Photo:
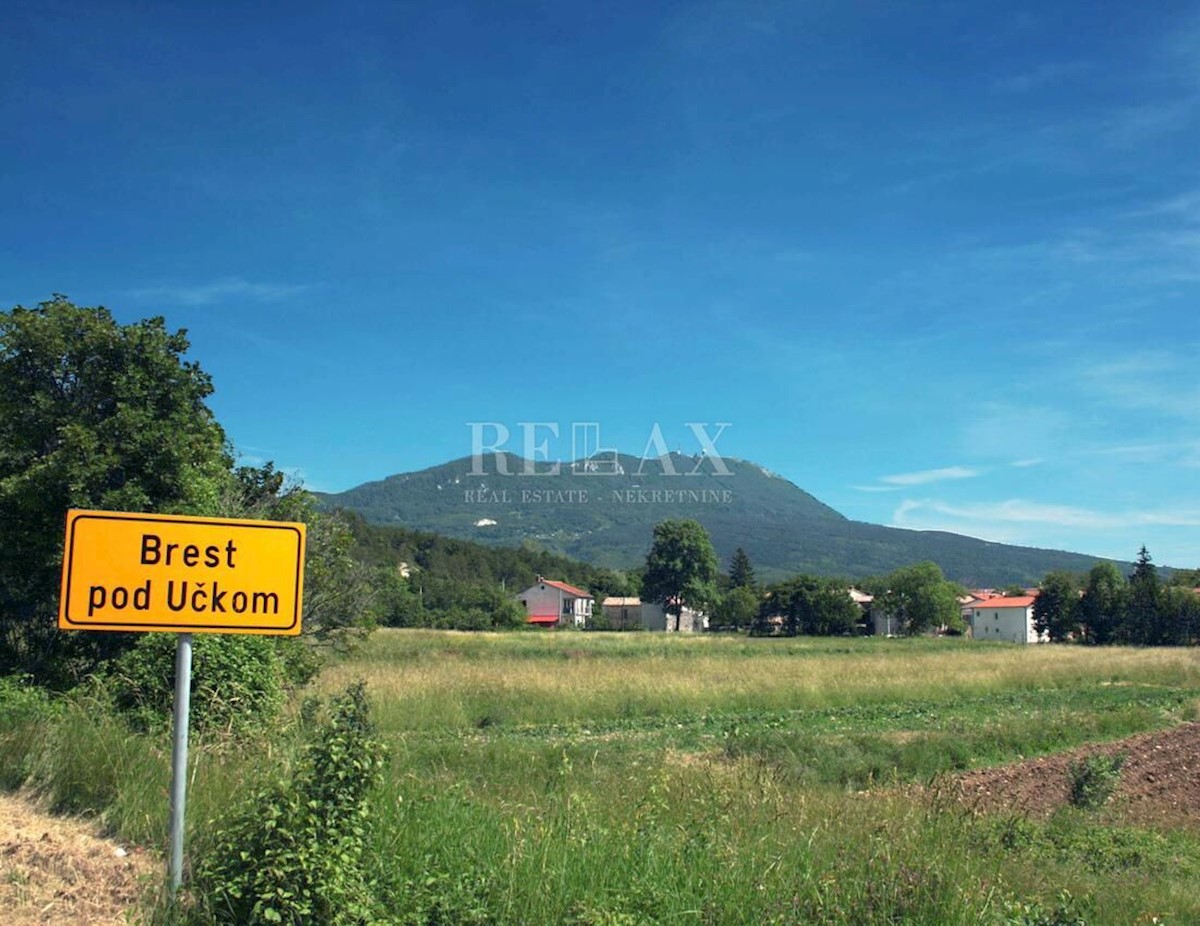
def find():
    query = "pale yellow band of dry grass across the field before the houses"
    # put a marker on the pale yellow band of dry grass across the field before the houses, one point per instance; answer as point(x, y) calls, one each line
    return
point(427, 680)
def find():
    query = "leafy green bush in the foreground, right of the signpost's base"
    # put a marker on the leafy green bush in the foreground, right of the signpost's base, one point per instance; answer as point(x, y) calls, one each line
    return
point(293, 853)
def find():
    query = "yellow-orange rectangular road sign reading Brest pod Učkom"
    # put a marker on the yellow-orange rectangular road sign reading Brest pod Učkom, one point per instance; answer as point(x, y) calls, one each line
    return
point(171, 573)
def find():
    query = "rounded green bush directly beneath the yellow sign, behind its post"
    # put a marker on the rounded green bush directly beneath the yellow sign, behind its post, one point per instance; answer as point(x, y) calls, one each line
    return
point(238, 682)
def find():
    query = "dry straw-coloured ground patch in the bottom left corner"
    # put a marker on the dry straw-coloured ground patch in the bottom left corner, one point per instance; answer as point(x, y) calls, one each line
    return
point(57, 870)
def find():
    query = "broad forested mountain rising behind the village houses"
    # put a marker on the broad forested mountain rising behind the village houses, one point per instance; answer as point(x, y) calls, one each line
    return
point(604, 513)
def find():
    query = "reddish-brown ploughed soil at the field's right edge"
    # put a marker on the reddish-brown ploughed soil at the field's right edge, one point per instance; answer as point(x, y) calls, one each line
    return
point(1160, 781)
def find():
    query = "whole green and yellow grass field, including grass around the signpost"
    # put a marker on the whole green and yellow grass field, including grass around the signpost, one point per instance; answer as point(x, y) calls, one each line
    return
point(645, 779)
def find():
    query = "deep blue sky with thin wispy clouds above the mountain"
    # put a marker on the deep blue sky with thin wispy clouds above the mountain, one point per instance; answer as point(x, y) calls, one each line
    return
point(937, 263)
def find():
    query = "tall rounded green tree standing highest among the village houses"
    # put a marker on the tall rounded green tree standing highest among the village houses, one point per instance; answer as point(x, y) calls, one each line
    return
point(681, 568)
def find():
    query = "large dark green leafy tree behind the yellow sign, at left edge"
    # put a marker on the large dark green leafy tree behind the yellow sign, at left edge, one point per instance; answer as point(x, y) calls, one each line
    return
point(99, 416)
